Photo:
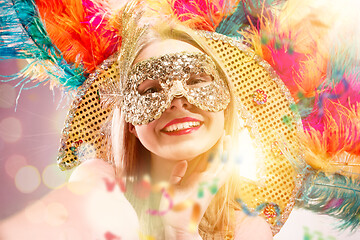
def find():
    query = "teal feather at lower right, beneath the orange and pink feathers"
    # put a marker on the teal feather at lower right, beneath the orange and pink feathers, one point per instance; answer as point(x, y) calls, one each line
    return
point(333, 194)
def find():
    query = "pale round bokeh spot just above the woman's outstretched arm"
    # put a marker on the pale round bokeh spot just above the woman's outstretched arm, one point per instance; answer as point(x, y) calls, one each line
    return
point(53, 177)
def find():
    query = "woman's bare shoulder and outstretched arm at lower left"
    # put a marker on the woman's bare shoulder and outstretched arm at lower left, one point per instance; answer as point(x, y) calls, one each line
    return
point(90, 206)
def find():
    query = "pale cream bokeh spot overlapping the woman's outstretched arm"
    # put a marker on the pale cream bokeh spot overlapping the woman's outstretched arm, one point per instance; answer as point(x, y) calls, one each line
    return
point(56, 214)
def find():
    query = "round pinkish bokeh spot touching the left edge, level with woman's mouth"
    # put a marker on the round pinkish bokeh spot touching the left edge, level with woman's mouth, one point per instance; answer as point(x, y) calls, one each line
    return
point(10, 129)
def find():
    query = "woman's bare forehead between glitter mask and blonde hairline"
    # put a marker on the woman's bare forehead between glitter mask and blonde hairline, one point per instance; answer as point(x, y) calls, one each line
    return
point(162, 47)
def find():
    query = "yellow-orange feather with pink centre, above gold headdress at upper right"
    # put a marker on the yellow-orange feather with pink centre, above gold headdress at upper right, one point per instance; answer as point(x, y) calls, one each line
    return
point(280, 41)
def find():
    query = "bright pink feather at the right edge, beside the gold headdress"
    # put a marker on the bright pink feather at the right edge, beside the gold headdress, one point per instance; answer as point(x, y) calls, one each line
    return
point(337, 116)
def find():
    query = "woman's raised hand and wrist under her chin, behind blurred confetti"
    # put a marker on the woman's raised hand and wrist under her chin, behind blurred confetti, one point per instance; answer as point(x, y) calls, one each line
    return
point(190, 199)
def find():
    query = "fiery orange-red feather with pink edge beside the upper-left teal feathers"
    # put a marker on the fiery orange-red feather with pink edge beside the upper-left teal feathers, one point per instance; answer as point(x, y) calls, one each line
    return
point(81, 29)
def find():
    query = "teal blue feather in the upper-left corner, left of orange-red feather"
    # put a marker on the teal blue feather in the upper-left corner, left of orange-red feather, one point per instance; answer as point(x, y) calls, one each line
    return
point(23, 36)
